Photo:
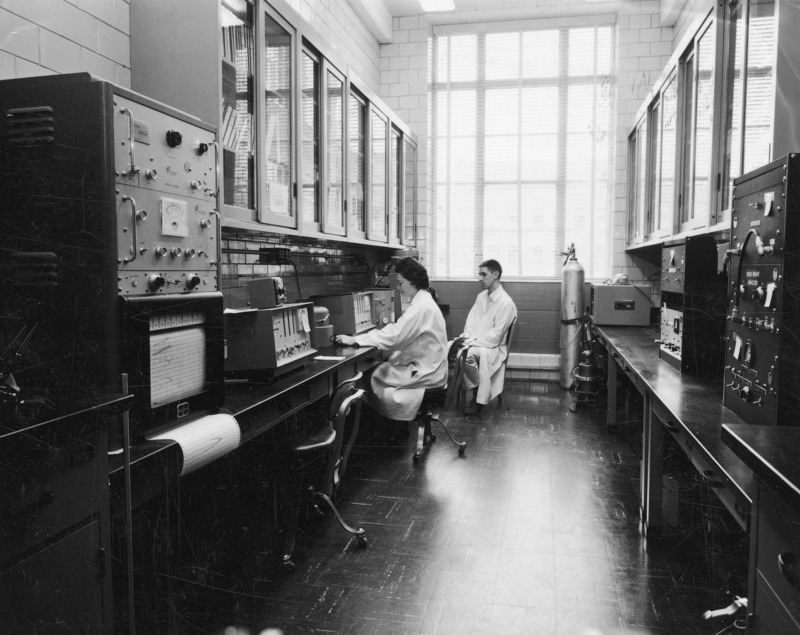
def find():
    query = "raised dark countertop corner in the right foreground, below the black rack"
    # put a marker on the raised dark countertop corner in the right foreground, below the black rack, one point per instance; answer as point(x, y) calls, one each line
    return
point(773, 453)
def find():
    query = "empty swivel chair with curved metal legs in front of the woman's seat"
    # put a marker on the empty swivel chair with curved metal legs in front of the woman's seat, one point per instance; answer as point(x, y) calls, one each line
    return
point(321, 444)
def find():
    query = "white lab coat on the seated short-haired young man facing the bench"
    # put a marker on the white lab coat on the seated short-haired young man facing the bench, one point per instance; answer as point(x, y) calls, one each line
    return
point(488, 322)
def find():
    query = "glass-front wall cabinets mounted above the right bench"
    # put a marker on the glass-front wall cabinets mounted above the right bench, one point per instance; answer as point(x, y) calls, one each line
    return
point(726, 104)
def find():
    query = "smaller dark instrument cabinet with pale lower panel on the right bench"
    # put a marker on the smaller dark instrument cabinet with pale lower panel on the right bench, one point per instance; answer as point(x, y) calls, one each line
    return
point(692, 311)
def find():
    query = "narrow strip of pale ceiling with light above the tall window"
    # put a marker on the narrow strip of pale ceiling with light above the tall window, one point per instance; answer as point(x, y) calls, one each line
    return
point(493, 10)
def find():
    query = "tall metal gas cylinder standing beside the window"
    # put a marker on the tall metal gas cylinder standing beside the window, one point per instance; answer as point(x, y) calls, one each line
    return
point(573, 306)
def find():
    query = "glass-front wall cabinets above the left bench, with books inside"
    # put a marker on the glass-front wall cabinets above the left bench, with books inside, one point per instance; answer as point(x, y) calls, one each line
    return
point(304, 147)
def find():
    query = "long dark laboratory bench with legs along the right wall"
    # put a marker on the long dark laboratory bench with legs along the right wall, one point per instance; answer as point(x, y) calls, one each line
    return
point(752, 468)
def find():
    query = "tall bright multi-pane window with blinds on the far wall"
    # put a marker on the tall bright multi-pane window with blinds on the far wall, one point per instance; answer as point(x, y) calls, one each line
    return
point(521, 143)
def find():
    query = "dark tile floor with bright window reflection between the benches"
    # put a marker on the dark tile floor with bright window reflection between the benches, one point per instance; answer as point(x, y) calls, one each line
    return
point(534, 530)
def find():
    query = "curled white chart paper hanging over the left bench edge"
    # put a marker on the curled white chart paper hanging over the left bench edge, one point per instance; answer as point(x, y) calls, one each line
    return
point(203, 440)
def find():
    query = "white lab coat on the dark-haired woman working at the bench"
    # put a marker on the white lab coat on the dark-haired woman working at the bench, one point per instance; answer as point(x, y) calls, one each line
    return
point(418, 358)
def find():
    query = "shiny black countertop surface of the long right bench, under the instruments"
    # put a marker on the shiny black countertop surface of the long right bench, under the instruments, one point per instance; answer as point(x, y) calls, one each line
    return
point(695, 404)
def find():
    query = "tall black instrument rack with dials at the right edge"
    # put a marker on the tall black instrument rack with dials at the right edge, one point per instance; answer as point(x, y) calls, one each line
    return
point(762, 354)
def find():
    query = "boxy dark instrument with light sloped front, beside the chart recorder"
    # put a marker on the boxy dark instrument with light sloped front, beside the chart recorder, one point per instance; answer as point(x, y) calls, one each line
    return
point(271, 341)
